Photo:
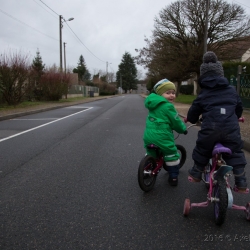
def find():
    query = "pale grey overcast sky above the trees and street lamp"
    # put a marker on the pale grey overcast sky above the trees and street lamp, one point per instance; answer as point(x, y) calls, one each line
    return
point(102, 30)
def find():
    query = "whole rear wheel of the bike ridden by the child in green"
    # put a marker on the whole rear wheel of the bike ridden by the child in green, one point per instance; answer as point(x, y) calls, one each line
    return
point(145, 178)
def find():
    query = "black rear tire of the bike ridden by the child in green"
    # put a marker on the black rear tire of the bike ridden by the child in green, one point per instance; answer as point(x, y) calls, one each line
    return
point(141, 176)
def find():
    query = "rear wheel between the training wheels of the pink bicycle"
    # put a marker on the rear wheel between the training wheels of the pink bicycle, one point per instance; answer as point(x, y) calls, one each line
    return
point(221, 201)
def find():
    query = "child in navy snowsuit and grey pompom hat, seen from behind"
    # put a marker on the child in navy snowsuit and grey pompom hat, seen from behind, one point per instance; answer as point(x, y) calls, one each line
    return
point(220, 107)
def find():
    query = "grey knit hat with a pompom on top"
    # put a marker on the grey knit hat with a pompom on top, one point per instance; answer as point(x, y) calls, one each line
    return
point(211, 64)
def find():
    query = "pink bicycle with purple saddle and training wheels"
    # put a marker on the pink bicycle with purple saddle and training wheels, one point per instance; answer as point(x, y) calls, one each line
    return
point(216, 178)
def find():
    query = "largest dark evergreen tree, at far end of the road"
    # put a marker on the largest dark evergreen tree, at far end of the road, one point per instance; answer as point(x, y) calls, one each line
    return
point(127, 73)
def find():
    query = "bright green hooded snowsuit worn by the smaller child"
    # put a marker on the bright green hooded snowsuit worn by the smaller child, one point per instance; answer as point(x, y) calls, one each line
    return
point(161, 121)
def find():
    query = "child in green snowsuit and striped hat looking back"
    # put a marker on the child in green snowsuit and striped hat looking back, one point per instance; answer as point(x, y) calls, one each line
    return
point(161, 121)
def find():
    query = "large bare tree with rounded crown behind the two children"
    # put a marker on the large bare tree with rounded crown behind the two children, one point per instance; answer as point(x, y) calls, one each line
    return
point(175, 49)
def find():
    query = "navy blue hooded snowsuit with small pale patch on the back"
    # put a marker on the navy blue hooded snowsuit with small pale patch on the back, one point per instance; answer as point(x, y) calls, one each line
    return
point(220, 107)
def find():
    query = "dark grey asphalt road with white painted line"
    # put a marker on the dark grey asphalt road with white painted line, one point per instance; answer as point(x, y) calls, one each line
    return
point(68, 180)
